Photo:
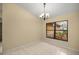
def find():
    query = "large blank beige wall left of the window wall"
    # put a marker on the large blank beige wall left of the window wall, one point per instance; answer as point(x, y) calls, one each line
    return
point(19, 27)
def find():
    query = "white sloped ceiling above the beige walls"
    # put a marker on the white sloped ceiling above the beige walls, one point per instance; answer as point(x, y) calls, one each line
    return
point(54, 9)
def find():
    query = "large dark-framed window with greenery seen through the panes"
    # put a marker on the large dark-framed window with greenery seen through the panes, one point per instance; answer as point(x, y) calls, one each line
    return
point(57, 30)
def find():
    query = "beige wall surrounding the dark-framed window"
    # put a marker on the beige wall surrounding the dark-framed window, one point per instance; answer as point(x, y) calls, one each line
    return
point(73, 31)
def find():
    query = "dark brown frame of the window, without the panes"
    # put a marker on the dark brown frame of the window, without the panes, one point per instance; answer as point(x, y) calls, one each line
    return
point(56, 30)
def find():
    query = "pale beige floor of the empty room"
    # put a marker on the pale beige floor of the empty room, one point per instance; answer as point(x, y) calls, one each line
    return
point(41, 48)
